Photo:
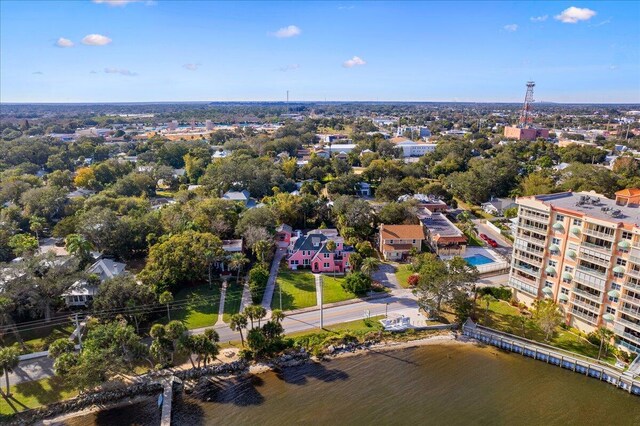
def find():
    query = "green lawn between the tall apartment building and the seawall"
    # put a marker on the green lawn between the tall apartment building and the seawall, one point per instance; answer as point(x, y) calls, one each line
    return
point(504, 317)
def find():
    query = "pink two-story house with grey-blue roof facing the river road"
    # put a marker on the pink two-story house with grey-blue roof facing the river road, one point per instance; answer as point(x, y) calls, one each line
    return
point(310, 251)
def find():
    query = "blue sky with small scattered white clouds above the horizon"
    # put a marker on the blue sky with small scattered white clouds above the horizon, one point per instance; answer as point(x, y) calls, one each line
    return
point(121, 51)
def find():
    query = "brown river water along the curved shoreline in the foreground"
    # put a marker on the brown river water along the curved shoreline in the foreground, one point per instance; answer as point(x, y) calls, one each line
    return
point(433, 385)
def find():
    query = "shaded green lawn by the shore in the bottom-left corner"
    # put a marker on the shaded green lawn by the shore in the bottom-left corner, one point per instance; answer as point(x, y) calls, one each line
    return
point(36, 393)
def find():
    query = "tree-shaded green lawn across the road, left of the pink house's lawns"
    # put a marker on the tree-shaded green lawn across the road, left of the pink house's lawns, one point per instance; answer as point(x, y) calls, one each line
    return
point(201, 307)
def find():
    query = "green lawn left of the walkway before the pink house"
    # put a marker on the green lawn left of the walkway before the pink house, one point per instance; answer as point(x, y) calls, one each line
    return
point(298, 290)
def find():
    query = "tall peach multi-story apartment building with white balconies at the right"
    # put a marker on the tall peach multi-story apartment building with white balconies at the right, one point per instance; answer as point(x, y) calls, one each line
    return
point(582, 250)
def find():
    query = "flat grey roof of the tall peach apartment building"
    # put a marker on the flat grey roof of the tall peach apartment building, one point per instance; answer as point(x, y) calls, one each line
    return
point(593, 205)
